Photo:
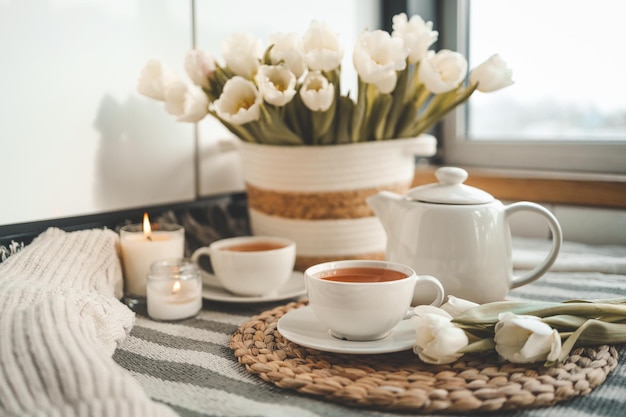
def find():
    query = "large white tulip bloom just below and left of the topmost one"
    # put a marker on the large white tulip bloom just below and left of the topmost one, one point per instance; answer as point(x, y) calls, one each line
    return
point(377, 56)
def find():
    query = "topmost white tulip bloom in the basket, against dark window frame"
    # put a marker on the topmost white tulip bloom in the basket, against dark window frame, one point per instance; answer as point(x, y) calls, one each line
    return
point(417, 35)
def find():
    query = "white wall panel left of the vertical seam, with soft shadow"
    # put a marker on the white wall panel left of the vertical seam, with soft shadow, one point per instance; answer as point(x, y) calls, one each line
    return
point(75, 137)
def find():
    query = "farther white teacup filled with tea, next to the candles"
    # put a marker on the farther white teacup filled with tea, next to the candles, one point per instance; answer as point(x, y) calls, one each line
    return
point(251, 265)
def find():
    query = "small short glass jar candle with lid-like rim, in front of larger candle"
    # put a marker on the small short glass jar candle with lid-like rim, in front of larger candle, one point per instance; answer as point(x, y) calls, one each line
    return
point(174, 289)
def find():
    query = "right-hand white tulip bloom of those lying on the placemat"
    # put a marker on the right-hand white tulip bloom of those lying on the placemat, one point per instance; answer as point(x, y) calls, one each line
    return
point(526, 339)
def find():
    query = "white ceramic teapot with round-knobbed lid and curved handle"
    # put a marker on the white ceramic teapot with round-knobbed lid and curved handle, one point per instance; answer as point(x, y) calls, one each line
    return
point(460, 235)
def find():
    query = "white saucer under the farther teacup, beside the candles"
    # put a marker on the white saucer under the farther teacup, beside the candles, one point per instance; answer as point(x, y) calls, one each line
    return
point(212, 290)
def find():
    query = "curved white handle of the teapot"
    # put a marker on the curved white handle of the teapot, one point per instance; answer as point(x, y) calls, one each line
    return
point(557, 239)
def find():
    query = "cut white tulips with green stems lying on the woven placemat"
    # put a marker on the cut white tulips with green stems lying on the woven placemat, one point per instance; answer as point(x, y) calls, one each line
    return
point(519, 331)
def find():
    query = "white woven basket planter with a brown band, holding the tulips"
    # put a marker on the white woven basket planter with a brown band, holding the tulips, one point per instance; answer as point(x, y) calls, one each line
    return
point(315, 195)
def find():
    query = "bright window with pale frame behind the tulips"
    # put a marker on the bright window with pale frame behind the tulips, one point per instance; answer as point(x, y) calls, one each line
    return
point(567, 110)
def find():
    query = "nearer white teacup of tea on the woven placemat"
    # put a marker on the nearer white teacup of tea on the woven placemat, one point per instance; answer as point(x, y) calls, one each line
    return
point(362, 311)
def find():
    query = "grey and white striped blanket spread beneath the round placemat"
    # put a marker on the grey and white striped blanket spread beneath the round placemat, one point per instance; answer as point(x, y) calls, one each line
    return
point(189, 366)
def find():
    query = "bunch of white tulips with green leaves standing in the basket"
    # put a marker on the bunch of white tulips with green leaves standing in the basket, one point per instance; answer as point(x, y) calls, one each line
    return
point(289, 93)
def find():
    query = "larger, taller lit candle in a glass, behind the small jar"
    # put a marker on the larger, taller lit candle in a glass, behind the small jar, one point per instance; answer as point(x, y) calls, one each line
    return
point(141, 246)
